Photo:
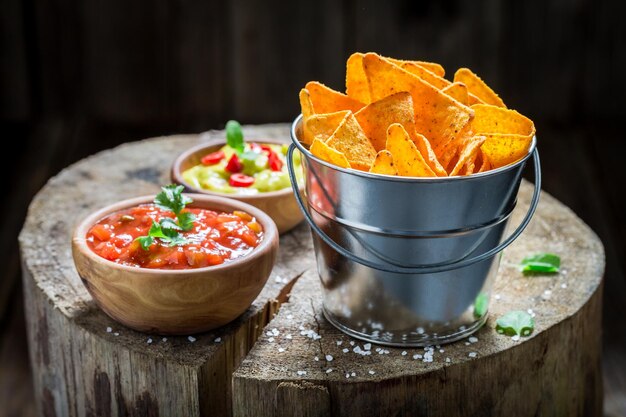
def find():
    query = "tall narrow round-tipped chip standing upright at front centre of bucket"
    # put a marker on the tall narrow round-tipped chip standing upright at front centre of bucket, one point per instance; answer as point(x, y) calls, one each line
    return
point(408, 160)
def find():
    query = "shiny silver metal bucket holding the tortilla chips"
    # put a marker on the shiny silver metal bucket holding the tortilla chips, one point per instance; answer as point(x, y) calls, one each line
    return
point(404, 260)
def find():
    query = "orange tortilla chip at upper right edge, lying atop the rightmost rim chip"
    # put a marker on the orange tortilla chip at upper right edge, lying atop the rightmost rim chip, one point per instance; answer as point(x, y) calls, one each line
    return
point(492, 119)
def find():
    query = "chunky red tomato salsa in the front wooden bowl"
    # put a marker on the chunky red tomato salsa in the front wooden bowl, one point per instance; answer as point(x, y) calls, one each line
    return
point(216, 237)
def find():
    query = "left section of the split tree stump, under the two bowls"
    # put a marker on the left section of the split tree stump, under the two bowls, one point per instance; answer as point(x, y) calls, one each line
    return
point(84, 363)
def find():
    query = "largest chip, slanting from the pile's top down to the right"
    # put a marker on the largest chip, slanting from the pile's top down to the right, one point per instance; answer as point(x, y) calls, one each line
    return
point(437, 116)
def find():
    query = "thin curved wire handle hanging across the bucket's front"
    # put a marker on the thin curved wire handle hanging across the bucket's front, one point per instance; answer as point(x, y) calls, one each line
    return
point(428, 269)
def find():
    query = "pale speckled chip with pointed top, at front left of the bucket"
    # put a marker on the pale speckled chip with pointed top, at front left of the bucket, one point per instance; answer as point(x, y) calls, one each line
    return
point(350, 140)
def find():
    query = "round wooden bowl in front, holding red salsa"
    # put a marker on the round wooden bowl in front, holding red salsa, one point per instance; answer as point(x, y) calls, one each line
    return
point(182, 301)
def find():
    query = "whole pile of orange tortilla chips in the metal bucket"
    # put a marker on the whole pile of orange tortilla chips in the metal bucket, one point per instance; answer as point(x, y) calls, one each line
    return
point(404, 118)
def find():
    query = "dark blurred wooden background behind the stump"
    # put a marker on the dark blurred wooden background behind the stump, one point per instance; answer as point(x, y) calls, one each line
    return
point(80, 76)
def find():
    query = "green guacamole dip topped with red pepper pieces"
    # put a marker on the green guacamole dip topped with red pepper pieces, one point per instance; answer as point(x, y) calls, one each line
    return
point(215, 177)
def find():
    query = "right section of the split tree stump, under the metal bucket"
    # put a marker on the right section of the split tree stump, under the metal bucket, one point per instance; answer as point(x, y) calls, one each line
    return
point(554, 372)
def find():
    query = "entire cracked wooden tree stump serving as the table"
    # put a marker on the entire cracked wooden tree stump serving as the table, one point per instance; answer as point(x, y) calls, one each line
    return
point(85, 364)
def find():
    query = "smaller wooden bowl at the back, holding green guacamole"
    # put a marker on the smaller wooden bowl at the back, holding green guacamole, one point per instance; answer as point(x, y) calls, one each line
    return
point(280, 205)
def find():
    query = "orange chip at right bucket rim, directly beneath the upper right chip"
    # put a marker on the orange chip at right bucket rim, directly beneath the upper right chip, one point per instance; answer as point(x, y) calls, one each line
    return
point(503, 149)
